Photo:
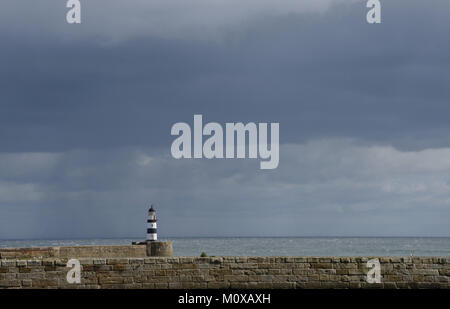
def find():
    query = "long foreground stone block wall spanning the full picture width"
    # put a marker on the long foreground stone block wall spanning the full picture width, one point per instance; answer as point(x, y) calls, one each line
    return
point(227, 272)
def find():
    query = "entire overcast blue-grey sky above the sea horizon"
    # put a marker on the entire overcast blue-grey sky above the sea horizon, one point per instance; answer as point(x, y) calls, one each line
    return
point(86, 112)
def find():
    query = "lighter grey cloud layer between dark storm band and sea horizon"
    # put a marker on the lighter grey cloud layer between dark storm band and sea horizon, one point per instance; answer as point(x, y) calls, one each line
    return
point(319, 188)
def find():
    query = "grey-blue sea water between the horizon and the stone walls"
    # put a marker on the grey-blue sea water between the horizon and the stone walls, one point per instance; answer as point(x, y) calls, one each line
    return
point(300, 246)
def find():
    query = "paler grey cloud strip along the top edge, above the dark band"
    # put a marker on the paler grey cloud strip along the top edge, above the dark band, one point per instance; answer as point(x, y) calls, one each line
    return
point(112, 21)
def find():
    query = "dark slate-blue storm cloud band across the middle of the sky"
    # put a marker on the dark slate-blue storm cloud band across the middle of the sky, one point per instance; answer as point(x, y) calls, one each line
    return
point(327, 75)
